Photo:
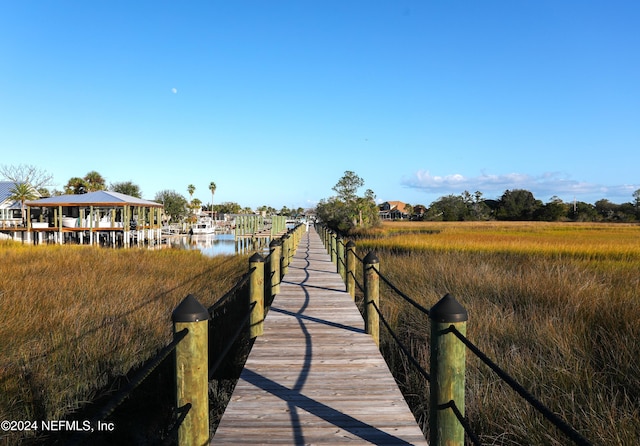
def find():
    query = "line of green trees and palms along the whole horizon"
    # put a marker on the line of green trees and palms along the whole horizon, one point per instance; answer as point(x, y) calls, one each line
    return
point(346, 211)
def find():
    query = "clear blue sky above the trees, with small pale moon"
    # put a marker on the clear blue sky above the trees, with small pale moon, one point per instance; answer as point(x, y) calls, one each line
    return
point(275, 100)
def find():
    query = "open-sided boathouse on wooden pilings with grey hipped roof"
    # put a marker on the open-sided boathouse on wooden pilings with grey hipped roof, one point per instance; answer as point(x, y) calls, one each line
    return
point(101, 216)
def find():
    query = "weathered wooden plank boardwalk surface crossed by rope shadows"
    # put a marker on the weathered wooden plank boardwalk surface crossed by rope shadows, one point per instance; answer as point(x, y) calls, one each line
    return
point(316, 376)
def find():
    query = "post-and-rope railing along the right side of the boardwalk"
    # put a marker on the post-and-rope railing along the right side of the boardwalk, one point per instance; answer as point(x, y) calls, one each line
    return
point(448, 345)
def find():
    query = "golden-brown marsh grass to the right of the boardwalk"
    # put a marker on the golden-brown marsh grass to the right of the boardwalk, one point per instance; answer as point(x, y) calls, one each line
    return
point(555, 305)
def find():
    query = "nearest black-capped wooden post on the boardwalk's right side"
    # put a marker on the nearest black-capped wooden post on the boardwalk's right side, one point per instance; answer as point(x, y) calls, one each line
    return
point(447, 372)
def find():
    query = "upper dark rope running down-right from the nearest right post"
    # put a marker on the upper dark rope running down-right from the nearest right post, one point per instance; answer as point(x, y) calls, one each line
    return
point(569, 431)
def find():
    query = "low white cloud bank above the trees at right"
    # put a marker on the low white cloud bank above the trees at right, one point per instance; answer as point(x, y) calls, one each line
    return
point(543, 186)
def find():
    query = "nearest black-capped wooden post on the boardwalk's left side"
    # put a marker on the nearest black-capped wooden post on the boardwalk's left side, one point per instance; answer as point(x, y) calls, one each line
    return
point(192, 371)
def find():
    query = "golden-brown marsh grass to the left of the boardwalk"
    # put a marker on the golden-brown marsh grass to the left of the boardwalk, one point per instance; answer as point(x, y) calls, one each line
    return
point(76, 317)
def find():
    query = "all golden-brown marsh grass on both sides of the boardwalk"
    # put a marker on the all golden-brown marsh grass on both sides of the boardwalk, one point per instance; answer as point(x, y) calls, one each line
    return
point(556, 305)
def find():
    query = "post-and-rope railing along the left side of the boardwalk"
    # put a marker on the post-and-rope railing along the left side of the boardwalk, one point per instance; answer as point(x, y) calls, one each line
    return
point(191, 342)
